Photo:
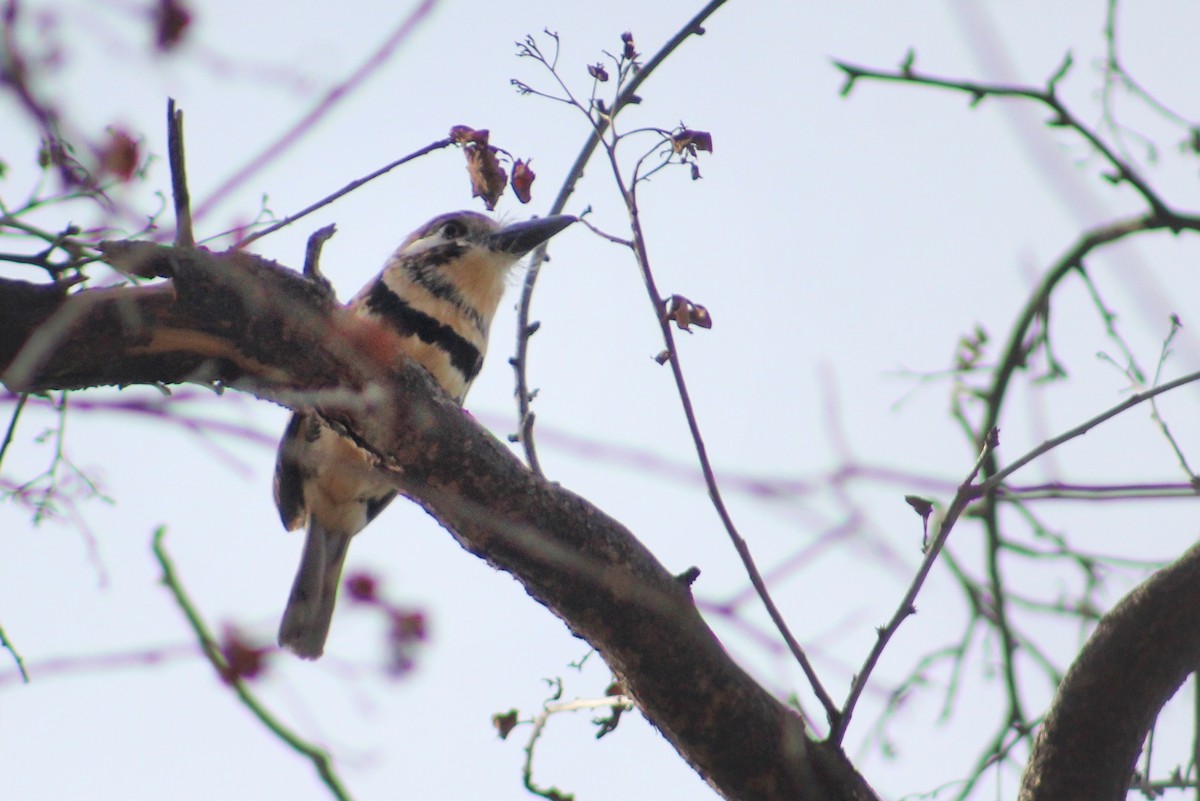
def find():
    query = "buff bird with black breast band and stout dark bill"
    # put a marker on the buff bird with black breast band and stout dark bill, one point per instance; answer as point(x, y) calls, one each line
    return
point(439, 292)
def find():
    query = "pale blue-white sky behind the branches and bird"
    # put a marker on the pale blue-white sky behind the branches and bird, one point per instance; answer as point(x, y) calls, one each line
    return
point(843, 248)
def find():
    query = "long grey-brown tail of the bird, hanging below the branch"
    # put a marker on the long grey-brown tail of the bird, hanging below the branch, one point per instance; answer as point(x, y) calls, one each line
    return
point(310, 610)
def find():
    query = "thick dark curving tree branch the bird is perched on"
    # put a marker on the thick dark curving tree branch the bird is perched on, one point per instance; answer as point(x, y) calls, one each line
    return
point(235, 321)
